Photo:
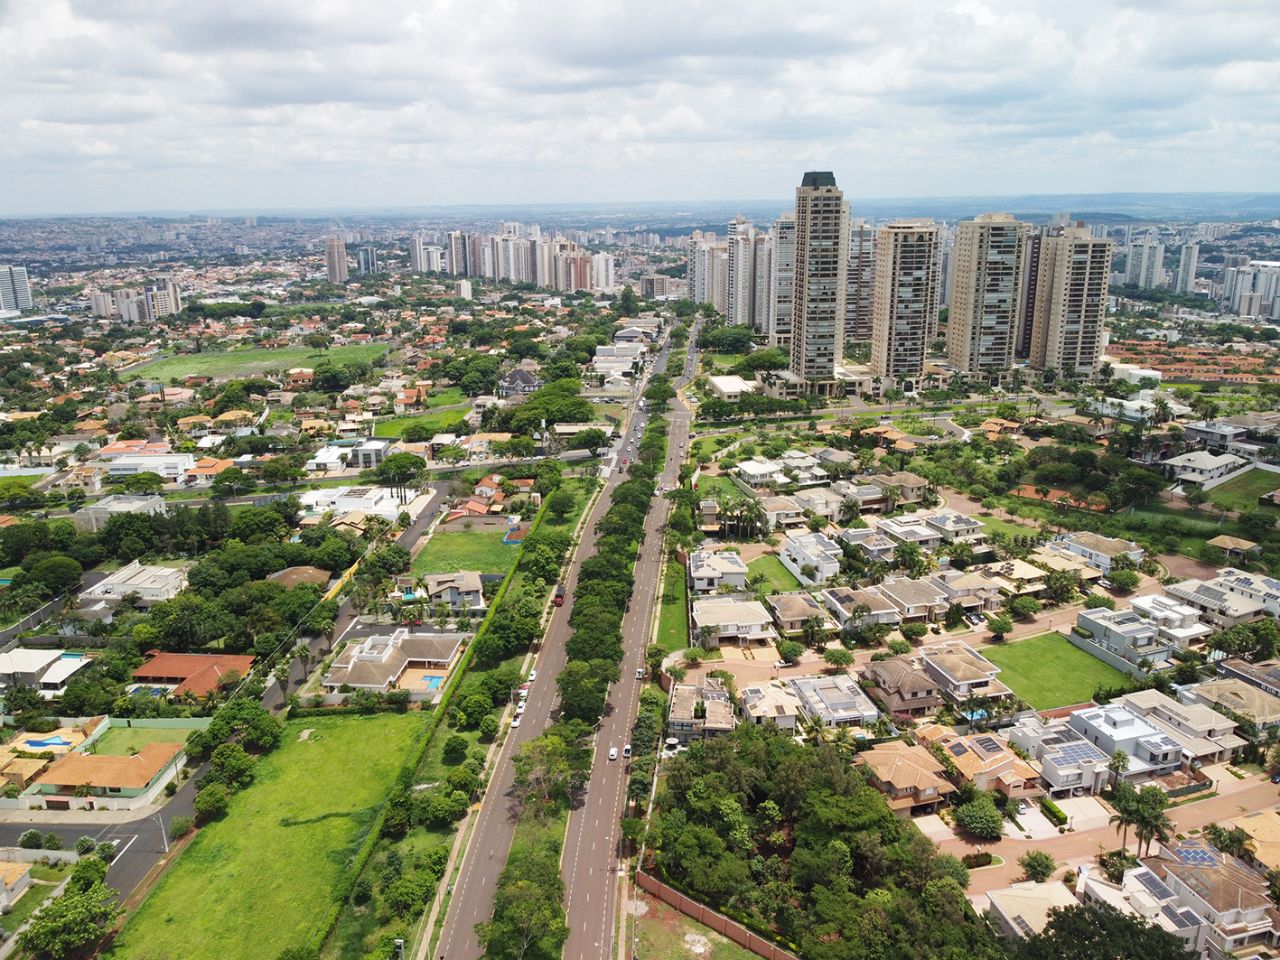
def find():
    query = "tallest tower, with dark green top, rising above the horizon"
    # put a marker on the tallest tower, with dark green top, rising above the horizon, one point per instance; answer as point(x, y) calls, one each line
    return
point(821, 281)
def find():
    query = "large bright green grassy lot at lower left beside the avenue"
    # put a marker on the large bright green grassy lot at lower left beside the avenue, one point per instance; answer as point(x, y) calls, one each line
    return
point(262, 880)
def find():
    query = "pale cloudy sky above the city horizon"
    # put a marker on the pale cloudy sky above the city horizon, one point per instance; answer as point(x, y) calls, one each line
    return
point(117, 106)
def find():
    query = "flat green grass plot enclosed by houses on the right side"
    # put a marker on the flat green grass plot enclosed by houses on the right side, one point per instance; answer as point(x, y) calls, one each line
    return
point(1046, 671)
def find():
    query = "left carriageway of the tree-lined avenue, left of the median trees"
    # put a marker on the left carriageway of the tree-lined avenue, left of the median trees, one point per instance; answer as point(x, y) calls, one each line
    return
point(496, 824)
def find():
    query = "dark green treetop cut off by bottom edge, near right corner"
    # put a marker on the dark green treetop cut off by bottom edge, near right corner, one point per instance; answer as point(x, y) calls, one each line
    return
point(1100, 932)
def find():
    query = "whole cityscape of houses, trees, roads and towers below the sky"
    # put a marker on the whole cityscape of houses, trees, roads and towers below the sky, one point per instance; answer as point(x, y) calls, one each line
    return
point(819, 588)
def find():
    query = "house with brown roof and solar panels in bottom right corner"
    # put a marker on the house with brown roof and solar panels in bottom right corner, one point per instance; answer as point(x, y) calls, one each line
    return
point(1232, 898)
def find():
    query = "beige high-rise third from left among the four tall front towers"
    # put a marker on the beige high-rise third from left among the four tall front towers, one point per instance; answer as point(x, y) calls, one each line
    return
point(986, 281)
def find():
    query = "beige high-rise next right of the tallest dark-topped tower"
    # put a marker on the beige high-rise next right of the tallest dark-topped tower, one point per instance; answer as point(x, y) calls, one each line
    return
point(906, 313)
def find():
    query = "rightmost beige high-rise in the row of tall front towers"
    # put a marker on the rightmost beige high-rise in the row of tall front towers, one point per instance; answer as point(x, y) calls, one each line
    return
point(1071, 301)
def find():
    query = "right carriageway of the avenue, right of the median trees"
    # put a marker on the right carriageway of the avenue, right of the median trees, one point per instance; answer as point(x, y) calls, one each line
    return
point(591, 862)
